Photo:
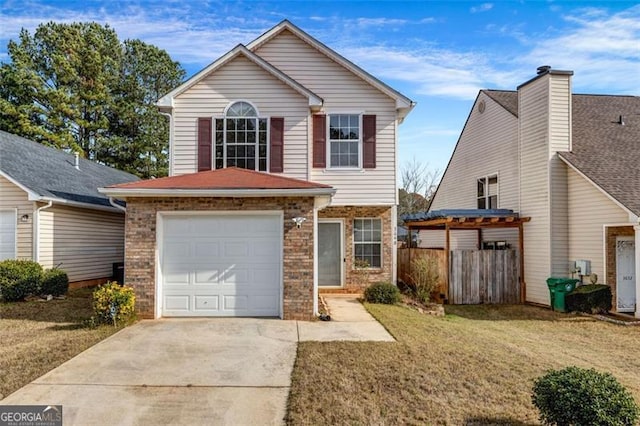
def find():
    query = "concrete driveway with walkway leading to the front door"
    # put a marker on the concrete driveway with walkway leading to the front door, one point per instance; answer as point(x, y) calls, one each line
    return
point(227, 371)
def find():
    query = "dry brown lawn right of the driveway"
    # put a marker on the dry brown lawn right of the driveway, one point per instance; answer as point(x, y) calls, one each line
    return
point(474, 366)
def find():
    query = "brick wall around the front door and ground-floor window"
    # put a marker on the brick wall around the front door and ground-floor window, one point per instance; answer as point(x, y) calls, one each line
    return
point(355, 280)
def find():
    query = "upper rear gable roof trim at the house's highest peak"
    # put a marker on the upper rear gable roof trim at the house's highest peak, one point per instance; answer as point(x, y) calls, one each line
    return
point(403, 104)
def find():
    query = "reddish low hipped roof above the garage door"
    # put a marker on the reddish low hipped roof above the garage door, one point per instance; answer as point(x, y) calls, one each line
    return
point(230, 181)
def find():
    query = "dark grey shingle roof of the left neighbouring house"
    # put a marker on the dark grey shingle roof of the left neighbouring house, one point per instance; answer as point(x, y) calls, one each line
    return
point(48, 174)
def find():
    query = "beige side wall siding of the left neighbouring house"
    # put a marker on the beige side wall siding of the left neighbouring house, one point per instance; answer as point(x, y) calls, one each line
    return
point(85, 242)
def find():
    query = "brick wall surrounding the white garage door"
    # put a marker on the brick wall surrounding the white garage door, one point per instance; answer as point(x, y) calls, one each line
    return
point(140, 246)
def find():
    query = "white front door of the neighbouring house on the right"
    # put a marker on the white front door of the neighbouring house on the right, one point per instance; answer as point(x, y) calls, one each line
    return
point(626, 274)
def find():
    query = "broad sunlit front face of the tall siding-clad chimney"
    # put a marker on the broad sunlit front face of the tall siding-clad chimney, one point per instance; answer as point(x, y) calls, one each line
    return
point(533, 100)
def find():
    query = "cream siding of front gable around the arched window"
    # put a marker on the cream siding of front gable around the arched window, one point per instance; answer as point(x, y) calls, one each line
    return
point(241, 79)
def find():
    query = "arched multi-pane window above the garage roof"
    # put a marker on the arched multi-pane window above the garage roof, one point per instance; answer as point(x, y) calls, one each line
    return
point(241, 138)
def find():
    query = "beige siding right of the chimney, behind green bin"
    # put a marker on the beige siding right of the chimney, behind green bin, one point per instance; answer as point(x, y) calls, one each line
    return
point(589, 210)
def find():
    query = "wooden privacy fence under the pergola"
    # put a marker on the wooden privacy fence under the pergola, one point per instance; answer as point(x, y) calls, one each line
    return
point(475, 276)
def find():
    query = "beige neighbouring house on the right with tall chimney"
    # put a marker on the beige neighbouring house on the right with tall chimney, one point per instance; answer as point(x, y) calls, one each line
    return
point(567, 161)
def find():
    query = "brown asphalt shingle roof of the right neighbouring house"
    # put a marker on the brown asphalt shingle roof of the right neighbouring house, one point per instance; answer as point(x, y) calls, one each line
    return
point(604, 150)
